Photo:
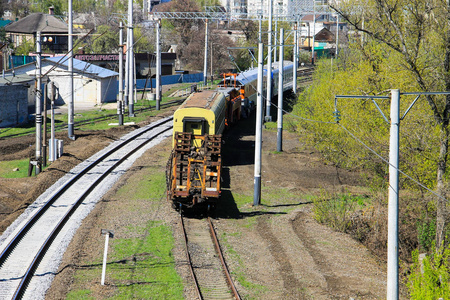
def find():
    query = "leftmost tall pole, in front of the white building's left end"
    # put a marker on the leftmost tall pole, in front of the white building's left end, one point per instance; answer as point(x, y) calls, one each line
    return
point(38, 104)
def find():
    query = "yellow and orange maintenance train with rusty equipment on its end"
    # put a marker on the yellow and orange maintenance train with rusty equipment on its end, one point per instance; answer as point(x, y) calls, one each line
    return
point(193, 172)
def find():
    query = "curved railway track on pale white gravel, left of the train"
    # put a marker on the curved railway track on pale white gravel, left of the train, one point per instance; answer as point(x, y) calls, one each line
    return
point(31, 249)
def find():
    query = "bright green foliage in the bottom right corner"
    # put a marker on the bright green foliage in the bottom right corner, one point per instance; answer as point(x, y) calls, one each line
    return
point(431, 278)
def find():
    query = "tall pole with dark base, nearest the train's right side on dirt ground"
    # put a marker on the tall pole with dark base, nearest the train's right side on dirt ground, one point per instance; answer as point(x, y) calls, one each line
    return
point(258, 130)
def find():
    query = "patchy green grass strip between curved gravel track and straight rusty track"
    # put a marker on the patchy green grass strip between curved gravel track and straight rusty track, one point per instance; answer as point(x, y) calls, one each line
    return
point(140, 266)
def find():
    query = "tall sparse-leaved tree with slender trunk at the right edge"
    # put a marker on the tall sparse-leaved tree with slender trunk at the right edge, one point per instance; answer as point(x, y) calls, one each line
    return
point(418, 33)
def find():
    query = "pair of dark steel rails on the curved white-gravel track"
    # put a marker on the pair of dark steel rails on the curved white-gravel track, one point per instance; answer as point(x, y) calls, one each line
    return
point(23, 231)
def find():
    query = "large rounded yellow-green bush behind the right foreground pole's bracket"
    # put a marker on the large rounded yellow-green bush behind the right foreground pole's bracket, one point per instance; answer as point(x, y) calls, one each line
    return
point(373, 70)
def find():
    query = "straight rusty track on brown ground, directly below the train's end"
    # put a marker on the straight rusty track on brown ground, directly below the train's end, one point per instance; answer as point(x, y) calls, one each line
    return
point(208, 268)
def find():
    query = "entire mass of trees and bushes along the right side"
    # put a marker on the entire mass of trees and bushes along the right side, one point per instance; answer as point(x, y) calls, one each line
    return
point(403, 45)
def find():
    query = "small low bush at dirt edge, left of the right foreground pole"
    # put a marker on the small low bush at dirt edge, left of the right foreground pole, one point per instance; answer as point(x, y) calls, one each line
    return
point(336, 210)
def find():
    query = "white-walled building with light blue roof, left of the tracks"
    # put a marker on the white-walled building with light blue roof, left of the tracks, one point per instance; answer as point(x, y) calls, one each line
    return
point(92, 84)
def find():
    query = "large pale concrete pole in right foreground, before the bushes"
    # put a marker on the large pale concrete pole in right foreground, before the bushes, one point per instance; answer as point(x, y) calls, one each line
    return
point(392, 262)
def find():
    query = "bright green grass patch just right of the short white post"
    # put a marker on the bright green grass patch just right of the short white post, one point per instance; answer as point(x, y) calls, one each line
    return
point(148, 261)
